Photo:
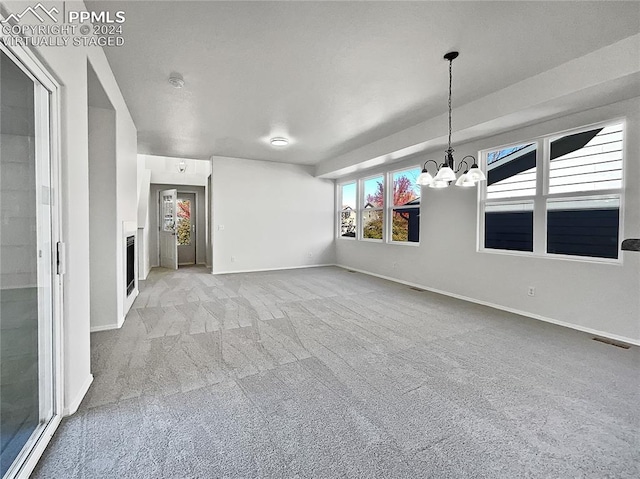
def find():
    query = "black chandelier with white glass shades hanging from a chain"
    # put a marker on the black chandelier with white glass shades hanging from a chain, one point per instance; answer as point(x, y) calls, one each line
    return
point(447, 171)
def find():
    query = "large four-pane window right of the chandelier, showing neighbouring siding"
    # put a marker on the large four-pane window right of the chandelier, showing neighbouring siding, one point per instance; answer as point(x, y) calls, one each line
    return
point(571, 206)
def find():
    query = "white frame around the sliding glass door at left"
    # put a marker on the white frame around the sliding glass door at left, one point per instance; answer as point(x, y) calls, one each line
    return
point(28, 62)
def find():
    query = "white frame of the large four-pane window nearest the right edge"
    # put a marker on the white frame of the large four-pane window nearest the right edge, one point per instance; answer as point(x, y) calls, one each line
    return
point(542, 196)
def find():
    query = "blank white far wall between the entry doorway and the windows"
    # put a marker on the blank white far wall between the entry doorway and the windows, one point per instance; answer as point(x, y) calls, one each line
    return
point(274, 215)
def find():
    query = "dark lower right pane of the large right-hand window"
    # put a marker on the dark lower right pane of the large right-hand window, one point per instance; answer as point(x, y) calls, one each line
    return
point(583, 227)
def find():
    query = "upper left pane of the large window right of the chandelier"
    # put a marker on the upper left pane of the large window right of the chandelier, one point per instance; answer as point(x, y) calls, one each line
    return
point(511, 172)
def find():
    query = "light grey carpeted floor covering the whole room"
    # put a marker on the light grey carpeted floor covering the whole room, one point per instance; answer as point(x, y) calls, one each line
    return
point(323, 373)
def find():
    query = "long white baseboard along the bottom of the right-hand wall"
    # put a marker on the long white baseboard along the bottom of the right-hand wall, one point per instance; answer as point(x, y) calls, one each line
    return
point(527, 314)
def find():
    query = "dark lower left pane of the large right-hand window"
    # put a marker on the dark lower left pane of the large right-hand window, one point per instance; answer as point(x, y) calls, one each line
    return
point(509, 227)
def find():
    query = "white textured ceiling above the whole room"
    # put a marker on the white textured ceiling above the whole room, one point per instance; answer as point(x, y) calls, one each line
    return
point(331, 76)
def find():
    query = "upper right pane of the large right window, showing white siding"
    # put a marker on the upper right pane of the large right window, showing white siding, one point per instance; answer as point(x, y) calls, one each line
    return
point(587, 161)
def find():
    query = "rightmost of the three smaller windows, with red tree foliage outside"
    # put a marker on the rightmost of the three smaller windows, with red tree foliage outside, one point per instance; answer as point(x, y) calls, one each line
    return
point(405, 206)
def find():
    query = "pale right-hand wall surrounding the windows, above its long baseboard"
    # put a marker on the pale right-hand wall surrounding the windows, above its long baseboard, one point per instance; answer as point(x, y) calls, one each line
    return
point(588, 295)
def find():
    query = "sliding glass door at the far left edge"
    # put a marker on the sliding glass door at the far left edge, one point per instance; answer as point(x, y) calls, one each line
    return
point(28, 281)
